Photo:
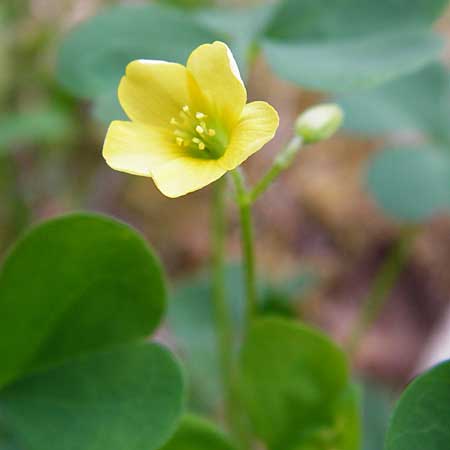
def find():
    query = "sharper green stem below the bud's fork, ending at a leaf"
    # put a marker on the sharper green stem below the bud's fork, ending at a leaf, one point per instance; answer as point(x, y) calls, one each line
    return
point(246, 224)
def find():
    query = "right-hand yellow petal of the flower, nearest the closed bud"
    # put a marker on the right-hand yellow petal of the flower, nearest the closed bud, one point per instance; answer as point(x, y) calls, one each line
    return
point(257, 126)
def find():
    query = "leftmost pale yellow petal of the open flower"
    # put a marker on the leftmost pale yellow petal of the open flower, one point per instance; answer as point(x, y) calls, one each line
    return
point(138, 149)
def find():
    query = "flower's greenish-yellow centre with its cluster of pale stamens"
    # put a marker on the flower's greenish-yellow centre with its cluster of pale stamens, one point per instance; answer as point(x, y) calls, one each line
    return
point(198, 134)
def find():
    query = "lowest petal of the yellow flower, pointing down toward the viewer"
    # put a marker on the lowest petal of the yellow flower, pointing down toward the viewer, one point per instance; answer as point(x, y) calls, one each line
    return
point(186, 174)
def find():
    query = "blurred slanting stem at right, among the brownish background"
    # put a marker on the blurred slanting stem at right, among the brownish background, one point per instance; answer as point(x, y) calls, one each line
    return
point(382, 286)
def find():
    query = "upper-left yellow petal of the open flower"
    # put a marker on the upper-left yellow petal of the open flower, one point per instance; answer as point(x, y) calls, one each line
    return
point(154, 91)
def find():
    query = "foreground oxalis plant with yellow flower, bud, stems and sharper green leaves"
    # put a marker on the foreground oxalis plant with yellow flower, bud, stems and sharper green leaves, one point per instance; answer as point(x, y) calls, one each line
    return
point(80, 294)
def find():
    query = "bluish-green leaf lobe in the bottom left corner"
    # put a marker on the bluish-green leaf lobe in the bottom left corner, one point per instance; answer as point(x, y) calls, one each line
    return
point(126, 398)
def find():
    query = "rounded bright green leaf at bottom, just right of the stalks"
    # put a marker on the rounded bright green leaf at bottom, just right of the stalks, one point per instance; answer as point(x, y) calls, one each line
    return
point(295, 384)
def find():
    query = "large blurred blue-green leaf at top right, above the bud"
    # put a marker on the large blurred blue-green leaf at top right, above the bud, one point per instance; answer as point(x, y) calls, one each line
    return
point(351, 44)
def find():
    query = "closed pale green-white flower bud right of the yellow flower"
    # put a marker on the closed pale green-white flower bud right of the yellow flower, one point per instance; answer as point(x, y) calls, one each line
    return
point(319, 122)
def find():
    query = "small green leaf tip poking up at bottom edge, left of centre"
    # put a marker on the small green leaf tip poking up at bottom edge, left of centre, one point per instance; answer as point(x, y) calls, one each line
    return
point(195, 433)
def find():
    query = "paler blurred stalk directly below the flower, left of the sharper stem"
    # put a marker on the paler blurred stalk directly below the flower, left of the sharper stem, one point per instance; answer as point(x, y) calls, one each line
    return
point(221, 312)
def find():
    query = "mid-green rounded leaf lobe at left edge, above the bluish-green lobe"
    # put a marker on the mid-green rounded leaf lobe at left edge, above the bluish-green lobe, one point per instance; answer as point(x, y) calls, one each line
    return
point(75, 284)
